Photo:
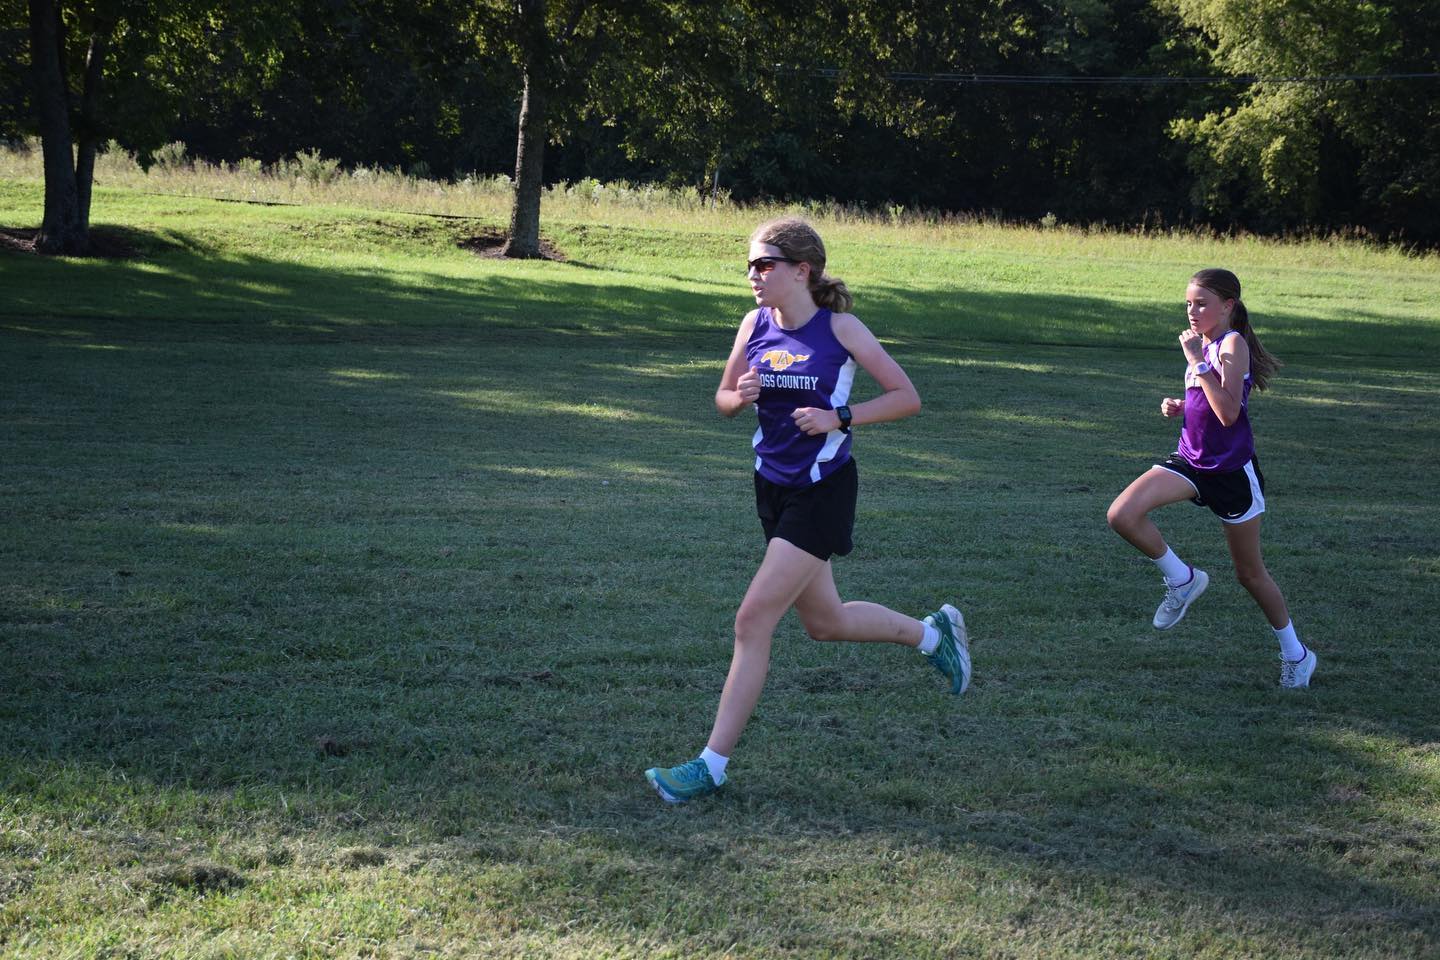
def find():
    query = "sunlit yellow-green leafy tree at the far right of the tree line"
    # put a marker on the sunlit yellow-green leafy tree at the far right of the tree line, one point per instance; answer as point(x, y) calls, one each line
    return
point(1305, 150)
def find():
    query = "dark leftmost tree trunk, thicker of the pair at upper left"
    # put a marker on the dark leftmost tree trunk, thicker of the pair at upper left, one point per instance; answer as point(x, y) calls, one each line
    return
point(64, 230)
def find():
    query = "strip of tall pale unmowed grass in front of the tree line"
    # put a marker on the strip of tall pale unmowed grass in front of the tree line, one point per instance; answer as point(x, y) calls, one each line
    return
point(312, 179)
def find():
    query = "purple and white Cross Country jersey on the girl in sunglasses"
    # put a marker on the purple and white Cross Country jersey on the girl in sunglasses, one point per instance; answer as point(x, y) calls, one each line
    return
point(804, 368)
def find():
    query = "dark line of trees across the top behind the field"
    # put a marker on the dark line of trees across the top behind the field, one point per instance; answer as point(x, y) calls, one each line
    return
point(1264, 116)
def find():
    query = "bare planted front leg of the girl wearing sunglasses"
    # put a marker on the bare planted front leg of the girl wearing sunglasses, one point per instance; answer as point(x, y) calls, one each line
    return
point(783, 578)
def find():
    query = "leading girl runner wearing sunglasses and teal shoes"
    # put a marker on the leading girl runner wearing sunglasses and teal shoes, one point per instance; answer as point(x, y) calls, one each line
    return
point(794, 359)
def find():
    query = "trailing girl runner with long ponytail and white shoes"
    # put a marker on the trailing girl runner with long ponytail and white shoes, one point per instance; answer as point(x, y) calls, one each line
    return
point(1216, 466)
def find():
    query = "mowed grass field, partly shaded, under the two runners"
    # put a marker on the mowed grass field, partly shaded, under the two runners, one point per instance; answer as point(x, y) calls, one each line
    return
point(351, 581)
